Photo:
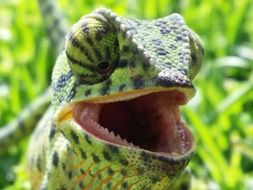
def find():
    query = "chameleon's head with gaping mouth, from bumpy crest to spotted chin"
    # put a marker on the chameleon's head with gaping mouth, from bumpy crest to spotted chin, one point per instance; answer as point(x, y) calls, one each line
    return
point(117, 88)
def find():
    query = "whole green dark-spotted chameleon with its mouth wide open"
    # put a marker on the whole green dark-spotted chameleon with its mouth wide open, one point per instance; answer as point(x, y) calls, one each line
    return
point(114, 121)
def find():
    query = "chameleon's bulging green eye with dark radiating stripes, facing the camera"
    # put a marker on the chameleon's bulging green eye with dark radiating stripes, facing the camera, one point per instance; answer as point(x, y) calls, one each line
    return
point(92, 49)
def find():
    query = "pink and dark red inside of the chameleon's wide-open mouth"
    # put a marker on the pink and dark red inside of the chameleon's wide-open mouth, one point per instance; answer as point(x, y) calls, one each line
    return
point(151, 122)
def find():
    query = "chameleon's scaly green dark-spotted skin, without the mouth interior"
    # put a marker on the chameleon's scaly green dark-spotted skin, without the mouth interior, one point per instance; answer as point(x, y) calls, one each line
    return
point(108, 58)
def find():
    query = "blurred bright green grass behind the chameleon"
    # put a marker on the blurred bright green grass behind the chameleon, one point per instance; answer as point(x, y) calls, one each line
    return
point(220, 115)
